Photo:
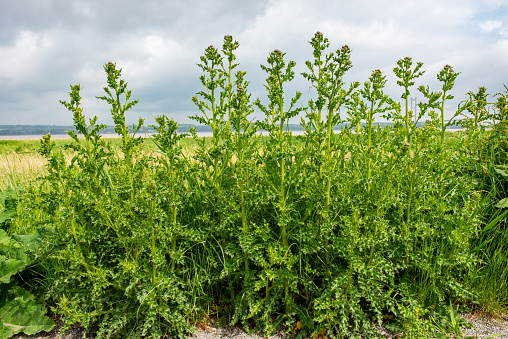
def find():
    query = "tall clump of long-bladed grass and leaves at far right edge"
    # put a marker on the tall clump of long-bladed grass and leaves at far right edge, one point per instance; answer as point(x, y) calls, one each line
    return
point(490, 152)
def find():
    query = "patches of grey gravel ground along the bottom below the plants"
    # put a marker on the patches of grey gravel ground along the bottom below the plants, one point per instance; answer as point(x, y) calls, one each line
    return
point(483, 327)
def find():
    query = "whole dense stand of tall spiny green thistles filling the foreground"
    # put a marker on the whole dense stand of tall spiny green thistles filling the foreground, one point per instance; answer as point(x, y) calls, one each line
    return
point(321, 234)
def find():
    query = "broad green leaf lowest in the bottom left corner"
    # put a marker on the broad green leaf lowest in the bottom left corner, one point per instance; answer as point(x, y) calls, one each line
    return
point(19, 312)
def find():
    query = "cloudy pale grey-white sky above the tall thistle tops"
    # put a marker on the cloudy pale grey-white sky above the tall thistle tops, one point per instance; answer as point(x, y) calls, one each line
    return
point(48, 45)
